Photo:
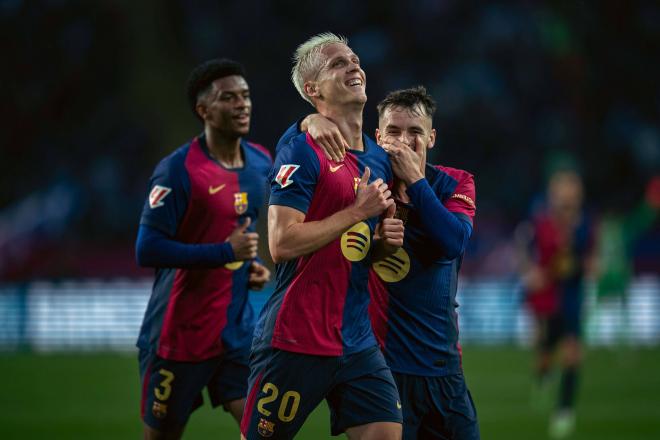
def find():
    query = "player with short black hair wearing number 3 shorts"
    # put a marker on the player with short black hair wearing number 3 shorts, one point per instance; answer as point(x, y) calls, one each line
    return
point(197, 230)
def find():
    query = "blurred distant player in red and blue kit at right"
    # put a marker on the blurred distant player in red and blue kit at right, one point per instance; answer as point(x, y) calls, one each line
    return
point(556, 251)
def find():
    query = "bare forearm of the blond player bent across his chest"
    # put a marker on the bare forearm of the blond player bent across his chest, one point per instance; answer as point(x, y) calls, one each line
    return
point(290, 241)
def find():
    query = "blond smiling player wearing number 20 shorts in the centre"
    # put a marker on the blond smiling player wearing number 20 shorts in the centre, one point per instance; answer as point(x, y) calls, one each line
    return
point(314, 339)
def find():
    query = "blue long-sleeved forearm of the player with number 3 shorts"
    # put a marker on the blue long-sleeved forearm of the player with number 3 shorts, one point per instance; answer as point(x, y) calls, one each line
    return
point(155, 249)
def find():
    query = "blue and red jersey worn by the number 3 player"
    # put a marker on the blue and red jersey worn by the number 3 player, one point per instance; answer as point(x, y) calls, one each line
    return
point(196, 314)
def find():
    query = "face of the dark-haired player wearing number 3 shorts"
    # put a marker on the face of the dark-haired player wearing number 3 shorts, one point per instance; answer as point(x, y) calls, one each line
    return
point(227, 106)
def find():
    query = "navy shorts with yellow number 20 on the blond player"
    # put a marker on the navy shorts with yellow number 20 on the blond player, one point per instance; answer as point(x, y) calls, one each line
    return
point(285, 387)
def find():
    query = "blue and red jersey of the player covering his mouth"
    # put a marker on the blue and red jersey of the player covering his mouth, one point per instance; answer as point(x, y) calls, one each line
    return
point(413, 309)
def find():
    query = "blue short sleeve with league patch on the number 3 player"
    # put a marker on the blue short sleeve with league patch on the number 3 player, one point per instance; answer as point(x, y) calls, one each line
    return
point(169, 192)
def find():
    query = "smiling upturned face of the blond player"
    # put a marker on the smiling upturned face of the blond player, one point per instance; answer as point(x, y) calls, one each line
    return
point(341, 80)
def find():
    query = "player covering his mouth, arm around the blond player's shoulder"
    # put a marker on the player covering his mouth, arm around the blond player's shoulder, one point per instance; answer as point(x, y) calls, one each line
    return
point(413, 307)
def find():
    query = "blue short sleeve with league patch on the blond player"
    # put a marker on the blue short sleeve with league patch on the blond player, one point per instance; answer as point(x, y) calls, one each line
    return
point(294, 175)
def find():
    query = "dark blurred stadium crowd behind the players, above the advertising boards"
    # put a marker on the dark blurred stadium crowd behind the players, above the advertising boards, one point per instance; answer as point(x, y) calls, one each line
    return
point(93, 97)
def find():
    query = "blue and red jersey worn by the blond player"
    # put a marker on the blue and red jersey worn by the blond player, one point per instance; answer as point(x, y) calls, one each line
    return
point(320, 302)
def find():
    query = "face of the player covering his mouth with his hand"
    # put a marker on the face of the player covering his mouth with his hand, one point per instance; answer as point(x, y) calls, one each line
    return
point(413, 128)
